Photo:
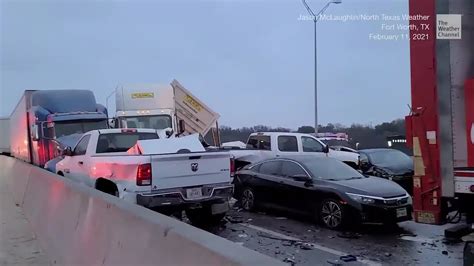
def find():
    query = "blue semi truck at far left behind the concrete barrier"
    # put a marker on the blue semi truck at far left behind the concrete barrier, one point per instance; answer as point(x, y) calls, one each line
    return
point(45, 120)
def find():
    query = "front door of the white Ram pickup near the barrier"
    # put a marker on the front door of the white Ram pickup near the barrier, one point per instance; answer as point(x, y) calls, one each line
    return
point(76, 168)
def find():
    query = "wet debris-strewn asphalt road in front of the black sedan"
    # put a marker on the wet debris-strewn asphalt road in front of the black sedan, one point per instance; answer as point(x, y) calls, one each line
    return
point(299, 241)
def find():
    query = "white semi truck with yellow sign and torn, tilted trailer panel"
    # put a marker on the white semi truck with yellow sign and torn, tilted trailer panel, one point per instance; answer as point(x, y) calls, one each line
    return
point(162, 106)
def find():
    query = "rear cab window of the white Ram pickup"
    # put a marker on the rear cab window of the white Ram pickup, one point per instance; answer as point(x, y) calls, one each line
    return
point(121, 142)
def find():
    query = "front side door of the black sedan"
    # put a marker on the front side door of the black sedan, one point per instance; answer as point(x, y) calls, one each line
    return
point(294, 193)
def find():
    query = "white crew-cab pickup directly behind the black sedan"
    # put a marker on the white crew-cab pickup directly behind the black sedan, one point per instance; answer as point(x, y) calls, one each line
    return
point(266, 145)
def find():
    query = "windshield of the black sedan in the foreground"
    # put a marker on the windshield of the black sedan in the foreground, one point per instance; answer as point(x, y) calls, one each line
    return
point(331, 169)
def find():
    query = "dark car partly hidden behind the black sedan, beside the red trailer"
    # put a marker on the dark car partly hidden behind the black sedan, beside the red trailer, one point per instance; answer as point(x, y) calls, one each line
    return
point(390, 164)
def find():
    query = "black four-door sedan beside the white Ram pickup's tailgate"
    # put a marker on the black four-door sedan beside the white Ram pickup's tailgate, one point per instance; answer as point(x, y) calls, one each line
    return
point(325, 188)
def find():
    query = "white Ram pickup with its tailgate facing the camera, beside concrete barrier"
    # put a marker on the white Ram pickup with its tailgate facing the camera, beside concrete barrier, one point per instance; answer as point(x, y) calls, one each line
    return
point(164, 174)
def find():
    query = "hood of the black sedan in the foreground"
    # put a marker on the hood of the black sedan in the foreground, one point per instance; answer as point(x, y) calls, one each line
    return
point(371, 186)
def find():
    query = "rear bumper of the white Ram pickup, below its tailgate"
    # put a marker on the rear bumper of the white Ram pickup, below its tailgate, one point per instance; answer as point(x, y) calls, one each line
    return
point(181, 198)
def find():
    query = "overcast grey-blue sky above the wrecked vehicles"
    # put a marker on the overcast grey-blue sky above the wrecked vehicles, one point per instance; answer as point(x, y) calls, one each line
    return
point(251, 61)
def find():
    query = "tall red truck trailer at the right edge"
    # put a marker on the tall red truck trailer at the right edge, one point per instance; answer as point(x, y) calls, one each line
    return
point(440, 126)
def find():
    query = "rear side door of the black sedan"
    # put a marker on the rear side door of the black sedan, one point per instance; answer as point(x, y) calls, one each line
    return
point(267, 181)
